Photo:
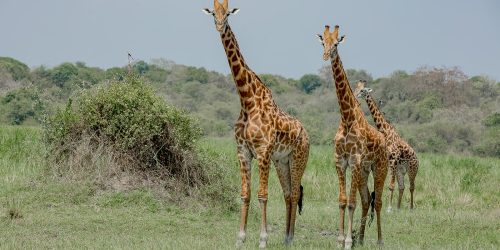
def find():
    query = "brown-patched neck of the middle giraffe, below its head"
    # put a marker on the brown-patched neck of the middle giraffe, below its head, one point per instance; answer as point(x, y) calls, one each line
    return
point(349, 106)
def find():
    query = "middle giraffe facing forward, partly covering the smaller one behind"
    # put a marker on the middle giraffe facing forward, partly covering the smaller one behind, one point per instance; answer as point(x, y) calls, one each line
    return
point(357, 145)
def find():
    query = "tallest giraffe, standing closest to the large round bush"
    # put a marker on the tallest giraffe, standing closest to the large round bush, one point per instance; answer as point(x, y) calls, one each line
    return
point(263, 132)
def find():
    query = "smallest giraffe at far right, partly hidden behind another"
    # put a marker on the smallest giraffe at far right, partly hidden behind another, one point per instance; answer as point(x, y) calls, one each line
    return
point(402, 157)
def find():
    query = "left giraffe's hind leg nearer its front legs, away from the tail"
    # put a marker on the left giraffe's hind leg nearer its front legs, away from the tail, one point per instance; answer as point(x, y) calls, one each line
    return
point(283, 170)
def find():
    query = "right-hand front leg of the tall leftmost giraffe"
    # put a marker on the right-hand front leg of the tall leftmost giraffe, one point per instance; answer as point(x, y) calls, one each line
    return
point(264, 160)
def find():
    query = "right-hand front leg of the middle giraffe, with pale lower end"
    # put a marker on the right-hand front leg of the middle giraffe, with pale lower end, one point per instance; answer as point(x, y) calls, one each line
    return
point(355, 185)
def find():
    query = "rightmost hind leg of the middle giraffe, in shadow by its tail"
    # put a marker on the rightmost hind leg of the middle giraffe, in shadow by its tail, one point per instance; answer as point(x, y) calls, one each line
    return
point(379, 176)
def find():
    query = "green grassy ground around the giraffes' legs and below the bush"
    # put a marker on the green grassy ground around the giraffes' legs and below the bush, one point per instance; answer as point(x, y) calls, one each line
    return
point(457, 207)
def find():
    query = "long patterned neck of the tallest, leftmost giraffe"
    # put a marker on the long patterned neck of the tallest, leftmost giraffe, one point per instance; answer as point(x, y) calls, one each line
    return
point(247, 82)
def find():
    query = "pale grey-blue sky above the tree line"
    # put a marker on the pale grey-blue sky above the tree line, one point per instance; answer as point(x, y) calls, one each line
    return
point(276, 37)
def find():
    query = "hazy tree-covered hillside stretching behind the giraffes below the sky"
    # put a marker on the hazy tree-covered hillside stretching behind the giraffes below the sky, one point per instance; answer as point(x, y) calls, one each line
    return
point(438, 110)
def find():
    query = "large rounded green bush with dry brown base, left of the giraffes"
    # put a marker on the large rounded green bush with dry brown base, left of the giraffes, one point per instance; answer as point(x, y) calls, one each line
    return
point(128, 138)
